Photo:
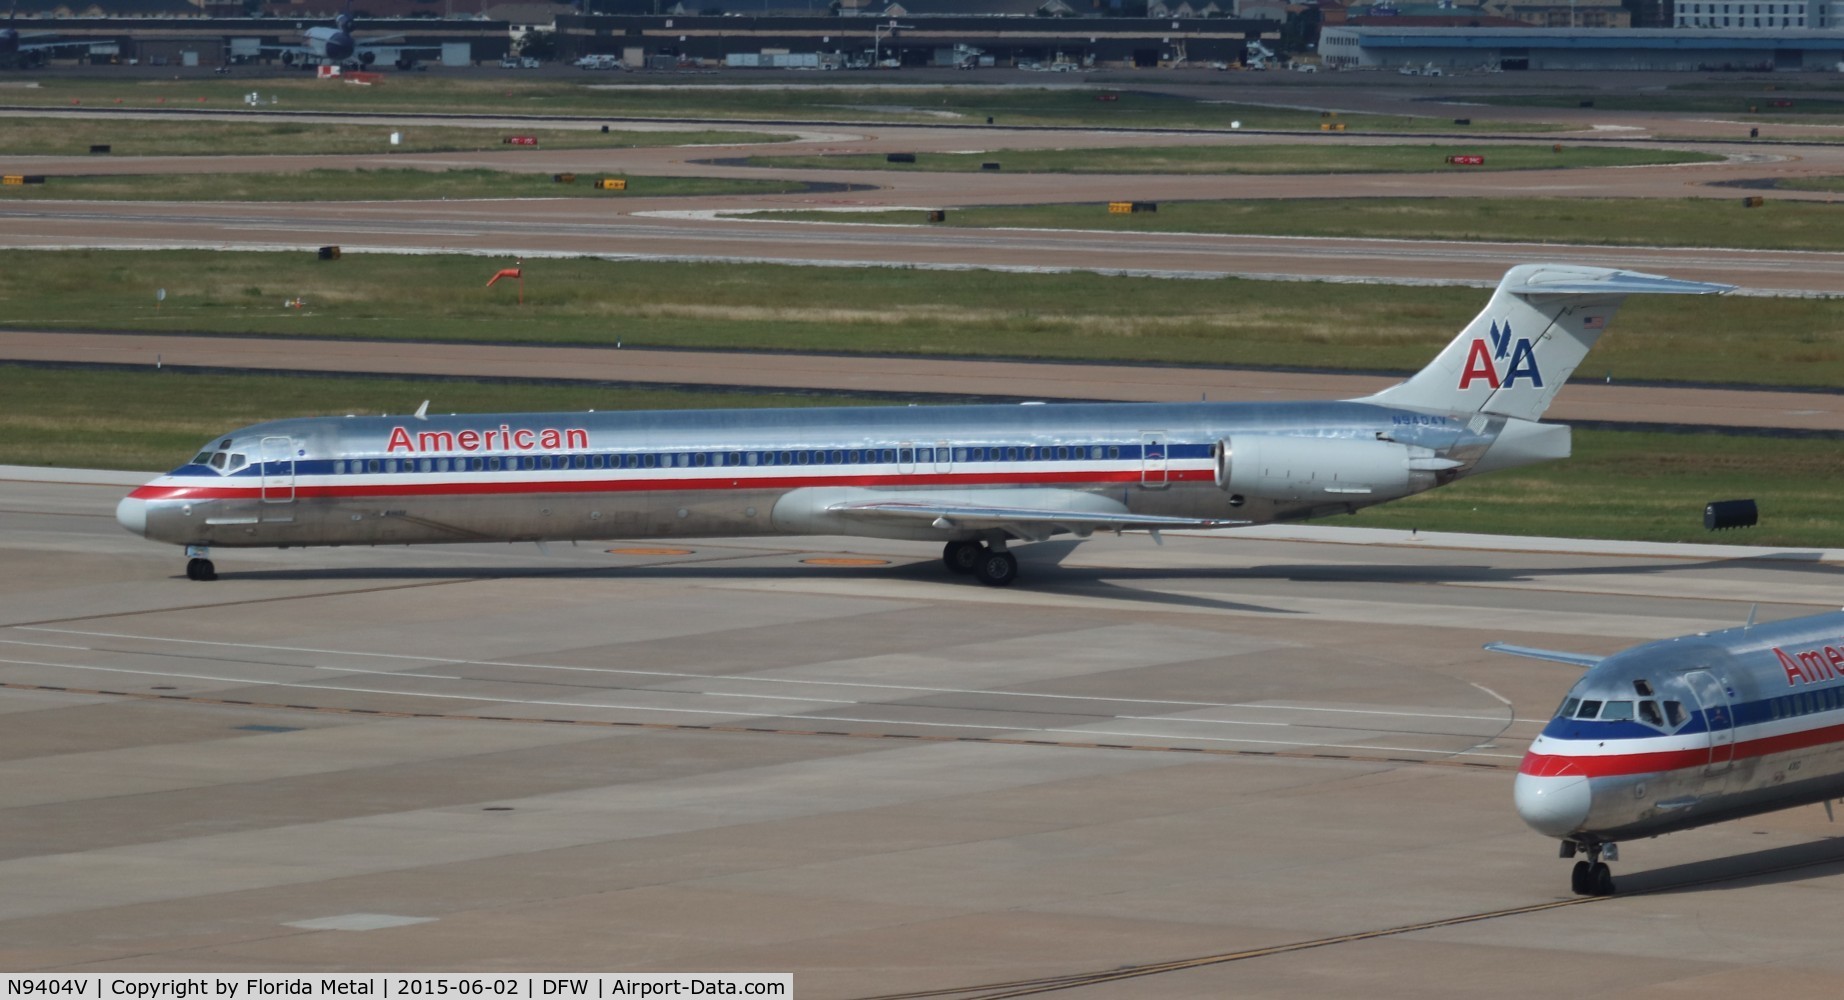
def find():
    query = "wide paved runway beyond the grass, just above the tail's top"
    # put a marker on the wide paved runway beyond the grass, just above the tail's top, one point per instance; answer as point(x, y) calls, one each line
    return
point(569, 230)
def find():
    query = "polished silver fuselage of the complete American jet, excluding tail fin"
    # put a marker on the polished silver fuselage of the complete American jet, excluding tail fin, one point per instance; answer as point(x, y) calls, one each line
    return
point(727, 473)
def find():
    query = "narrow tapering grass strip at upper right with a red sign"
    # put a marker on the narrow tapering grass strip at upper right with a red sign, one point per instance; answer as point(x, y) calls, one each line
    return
point(1306, 158)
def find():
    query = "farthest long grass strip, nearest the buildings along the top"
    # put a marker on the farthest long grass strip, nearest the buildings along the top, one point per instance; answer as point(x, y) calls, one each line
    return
point(606, 97)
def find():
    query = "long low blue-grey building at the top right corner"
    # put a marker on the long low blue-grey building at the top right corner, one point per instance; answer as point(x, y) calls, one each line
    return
point(1581, 49)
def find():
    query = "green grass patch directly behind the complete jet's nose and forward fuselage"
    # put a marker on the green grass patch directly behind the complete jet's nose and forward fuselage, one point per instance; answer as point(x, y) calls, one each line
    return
point(156, 420)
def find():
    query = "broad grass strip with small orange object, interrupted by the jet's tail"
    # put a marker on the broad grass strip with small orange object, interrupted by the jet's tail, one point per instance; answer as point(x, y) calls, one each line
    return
point(897, 311)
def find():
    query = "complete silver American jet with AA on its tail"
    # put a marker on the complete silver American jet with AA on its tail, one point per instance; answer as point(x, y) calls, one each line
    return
point(976, 479)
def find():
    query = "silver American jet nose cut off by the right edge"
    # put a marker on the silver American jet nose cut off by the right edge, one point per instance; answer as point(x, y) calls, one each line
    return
point(1683, 733)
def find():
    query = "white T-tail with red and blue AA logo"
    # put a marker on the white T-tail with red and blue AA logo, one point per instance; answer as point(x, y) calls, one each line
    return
point(1528, 342)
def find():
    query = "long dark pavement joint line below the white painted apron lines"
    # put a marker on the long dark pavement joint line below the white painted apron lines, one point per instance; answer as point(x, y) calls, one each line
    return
point(1439, 759)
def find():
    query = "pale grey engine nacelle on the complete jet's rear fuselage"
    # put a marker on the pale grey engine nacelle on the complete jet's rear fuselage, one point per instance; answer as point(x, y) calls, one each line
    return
point(1277, 468)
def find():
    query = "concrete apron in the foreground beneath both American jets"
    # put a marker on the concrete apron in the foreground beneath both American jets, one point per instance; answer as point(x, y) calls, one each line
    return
point(1277, 767)
